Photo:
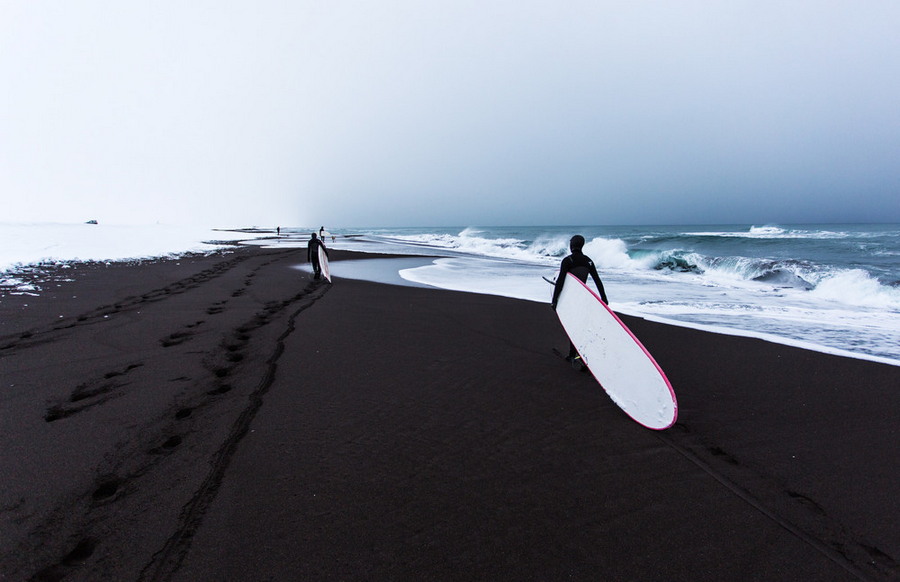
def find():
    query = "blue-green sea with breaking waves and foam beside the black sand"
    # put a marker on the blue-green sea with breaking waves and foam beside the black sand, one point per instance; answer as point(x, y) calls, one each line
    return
point(833, 288)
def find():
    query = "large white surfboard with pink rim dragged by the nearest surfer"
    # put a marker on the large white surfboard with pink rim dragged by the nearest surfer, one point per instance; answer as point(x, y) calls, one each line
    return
point(616, 358)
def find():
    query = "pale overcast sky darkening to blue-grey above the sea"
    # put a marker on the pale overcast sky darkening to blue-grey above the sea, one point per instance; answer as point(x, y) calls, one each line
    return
point(457, 112)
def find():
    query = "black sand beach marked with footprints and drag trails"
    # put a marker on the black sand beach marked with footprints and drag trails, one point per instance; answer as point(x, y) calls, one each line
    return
point(226, 418)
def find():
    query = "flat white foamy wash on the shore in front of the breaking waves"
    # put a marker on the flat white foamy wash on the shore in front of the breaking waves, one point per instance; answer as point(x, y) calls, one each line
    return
point(789, 316)
